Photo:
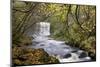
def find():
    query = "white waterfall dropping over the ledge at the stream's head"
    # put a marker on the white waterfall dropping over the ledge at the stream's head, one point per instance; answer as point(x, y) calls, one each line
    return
point(42, 31)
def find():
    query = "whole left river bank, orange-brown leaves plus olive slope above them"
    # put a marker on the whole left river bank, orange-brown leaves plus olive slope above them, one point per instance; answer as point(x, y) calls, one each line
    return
point(22, 55)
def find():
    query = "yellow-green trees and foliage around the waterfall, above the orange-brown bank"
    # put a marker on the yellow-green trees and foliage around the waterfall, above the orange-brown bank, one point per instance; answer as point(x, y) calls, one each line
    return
point(74, 24)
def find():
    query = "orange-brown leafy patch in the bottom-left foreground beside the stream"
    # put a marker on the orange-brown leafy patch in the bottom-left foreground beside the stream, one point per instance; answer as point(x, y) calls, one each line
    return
point(27, 56)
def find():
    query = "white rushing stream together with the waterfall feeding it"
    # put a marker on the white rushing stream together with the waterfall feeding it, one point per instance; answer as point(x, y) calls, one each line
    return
point(56, 48)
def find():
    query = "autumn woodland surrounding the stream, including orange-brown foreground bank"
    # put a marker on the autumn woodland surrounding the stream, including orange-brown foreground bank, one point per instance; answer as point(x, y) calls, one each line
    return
point(74, 24)
